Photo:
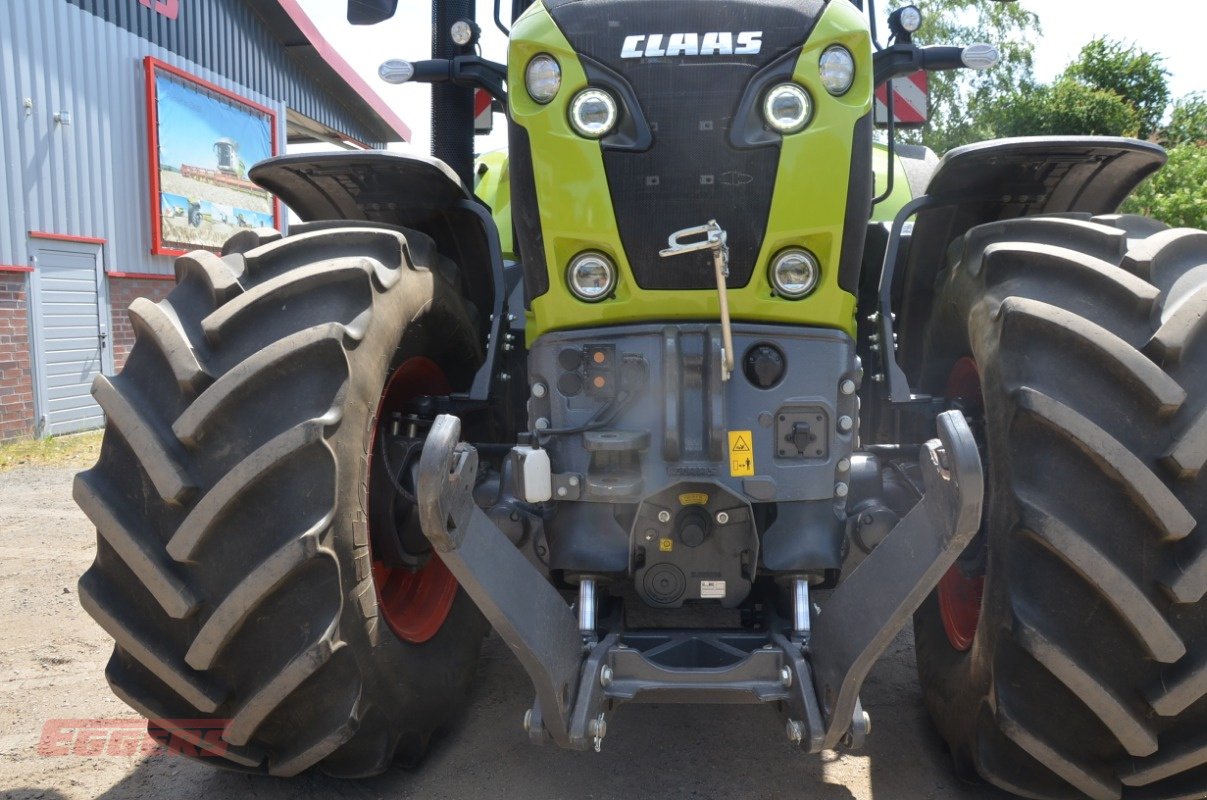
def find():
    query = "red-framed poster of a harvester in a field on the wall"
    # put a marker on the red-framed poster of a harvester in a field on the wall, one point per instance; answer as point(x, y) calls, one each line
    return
point(203, 143)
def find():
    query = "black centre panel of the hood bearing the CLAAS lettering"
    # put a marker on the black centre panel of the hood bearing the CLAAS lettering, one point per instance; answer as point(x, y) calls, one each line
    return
point(687, 63)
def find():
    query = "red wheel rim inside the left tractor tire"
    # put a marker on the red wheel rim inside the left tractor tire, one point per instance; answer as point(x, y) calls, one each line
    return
point(413, 603)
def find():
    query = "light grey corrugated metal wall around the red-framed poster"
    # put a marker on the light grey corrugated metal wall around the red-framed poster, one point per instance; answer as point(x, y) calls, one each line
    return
point(89, 178)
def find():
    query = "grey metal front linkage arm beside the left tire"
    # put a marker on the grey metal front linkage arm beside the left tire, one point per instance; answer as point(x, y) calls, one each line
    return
point(522, 606)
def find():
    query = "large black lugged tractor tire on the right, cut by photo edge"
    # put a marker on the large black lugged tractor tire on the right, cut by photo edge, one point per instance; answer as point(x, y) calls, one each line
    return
point(1066, 653)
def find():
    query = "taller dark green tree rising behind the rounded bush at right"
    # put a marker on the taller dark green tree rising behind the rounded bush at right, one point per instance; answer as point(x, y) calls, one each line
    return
point(1135, 75)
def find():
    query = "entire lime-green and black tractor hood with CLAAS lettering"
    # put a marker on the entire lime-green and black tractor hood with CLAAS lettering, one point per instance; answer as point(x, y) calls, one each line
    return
point(687, 142)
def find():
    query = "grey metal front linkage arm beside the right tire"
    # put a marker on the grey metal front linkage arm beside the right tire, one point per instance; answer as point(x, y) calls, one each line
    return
point(872, 606)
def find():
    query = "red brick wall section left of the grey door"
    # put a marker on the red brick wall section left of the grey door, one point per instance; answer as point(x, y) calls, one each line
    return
point(16, 375)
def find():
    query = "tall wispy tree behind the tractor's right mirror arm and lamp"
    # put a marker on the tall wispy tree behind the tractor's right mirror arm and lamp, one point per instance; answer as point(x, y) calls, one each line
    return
point(957, 97)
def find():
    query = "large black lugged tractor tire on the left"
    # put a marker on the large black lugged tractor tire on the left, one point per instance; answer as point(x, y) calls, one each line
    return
point(234, 560)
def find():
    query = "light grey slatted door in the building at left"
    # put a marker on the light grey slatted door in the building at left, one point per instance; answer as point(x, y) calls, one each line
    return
point(72, 332)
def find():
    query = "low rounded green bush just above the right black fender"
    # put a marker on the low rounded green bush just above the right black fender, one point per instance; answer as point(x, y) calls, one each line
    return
point(1065, 108)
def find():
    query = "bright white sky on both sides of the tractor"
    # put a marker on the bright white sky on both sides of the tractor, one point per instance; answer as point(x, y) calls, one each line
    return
point(1164, 27)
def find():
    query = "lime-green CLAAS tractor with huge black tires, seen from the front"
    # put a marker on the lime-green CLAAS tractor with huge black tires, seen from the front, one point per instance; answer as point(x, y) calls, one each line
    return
point(695, 411)
